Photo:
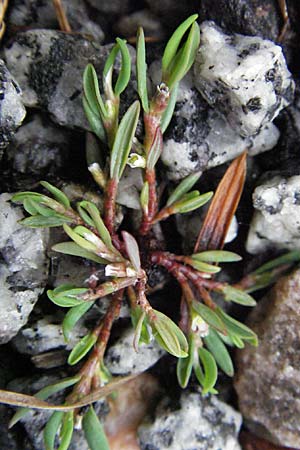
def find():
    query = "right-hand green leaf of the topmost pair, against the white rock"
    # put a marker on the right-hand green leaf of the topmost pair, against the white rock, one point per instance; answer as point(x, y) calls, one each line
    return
point(184, 58)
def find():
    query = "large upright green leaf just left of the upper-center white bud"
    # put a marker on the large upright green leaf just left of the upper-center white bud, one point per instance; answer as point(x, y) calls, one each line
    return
point(123, 141)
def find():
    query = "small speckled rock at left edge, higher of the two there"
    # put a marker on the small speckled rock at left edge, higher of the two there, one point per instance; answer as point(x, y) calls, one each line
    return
point(12, 111)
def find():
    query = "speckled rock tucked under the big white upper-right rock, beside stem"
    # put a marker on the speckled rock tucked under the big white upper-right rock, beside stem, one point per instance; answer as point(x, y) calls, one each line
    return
point(199, 138)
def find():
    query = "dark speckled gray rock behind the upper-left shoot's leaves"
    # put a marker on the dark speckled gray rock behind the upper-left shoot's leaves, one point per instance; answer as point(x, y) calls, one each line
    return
point(49, 66)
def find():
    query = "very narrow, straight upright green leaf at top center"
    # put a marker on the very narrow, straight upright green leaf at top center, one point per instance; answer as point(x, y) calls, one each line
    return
point(141, 69)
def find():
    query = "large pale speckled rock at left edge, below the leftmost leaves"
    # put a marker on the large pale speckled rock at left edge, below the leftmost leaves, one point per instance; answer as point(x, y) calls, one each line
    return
point(23, 269)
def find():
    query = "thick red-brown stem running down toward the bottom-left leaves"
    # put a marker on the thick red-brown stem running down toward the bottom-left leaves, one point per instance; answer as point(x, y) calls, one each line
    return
point(89, 370)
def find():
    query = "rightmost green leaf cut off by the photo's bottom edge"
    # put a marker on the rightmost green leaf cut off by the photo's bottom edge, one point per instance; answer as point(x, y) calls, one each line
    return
point(93, 431)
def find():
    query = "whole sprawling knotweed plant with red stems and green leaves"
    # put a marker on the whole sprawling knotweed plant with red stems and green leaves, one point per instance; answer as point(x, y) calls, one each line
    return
point(200, 340)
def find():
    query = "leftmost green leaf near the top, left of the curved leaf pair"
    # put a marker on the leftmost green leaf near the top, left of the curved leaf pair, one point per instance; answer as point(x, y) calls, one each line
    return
point(92, 92)
